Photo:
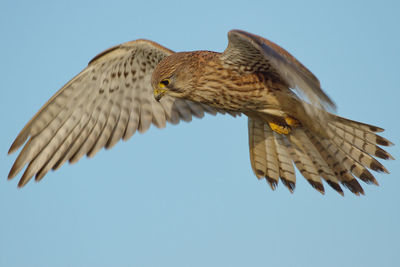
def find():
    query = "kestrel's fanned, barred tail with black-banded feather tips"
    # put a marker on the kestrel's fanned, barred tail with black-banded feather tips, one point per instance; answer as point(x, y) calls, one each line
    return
point(341, 157)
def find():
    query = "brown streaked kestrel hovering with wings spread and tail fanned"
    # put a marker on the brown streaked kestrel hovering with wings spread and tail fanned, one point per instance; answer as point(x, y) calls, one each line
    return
point(135, 84)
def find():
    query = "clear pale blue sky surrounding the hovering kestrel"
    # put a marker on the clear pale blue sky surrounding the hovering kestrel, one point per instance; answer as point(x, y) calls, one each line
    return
point(186, 195)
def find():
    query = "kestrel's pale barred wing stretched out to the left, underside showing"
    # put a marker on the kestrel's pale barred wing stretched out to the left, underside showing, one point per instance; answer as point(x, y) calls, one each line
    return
point(110, 99)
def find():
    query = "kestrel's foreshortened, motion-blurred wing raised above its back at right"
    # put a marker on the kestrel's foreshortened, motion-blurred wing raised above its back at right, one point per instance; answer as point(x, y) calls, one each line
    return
point(254, 53)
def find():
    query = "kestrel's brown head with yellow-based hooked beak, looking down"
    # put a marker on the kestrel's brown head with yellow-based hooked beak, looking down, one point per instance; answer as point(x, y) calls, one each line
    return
point(172, 76)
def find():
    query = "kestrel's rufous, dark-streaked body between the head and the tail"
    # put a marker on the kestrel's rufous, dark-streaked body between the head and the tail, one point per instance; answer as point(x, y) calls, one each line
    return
point(229, 87)
